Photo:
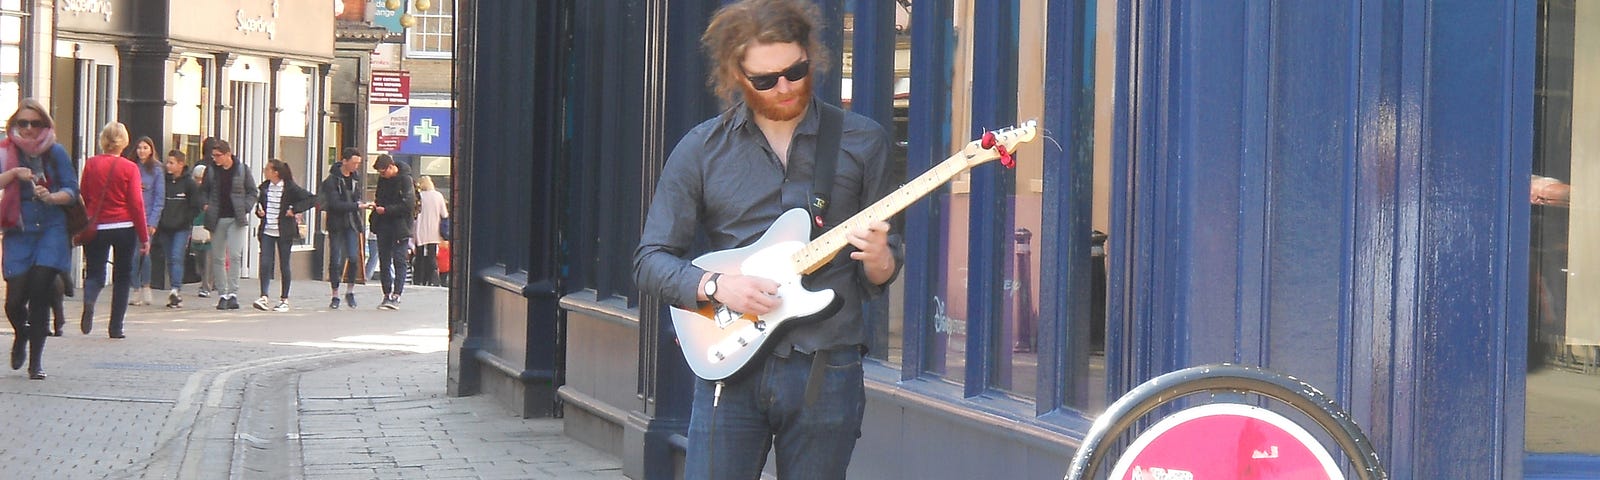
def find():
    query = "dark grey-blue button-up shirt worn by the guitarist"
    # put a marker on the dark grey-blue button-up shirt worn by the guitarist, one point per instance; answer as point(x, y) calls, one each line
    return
point(724, 182)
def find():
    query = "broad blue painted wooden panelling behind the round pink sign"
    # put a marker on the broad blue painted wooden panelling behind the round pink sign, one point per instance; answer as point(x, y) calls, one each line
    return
point(1332, 190)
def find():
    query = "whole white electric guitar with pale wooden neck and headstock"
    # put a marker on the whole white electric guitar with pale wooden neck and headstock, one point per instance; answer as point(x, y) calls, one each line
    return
point(719, 343)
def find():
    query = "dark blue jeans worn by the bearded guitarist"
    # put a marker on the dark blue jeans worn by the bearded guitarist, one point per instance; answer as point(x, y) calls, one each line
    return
point(767, 407)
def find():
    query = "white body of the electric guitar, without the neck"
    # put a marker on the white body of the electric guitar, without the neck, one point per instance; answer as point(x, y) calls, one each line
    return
point(724, 343)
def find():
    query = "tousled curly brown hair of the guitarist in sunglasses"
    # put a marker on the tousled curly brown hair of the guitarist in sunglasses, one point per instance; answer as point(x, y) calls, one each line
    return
point(737, 26)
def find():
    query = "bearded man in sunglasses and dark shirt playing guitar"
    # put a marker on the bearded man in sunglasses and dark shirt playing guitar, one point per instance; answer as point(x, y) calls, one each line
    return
point(734, 177)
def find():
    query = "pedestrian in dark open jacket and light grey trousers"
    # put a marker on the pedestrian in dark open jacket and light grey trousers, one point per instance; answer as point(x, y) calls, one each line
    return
point(230, 199)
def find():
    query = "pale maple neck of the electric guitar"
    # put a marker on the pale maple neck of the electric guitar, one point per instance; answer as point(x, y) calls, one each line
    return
point(822, 250)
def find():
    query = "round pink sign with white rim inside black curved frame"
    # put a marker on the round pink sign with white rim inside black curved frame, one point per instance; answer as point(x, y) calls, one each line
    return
point(1226, 441)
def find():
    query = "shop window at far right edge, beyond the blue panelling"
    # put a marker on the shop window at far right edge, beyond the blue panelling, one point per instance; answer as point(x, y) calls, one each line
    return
point(1564, 316)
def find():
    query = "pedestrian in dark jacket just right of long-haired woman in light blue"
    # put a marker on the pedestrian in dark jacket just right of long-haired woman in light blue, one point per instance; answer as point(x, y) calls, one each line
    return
point(177, 225)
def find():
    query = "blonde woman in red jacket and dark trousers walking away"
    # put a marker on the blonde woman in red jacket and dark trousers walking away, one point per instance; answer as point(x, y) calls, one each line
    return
point(114, 199)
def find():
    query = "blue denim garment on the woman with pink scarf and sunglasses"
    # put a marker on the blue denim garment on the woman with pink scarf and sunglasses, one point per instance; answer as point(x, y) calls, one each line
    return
point(42, 236)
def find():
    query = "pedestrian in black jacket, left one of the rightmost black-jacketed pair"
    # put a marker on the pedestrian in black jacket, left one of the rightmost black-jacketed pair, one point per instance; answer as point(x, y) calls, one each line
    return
point(340, 199)
